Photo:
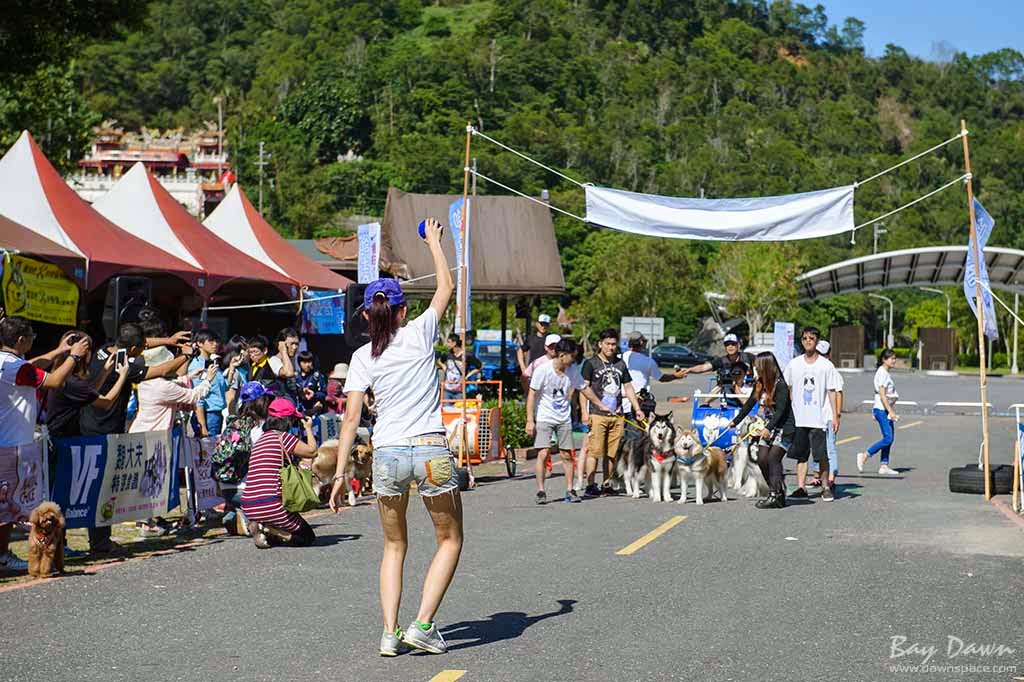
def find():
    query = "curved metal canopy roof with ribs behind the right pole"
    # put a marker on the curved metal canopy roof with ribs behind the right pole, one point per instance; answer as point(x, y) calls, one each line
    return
point(912, 268)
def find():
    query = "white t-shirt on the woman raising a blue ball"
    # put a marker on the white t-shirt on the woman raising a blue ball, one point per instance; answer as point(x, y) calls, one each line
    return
point(405, 382)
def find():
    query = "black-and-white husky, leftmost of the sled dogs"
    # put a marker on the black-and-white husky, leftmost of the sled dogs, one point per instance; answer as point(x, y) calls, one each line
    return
point(651, 455)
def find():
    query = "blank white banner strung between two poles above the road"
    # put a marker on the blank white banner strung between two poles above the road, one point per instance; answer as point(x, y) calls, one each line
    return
point(762, 220)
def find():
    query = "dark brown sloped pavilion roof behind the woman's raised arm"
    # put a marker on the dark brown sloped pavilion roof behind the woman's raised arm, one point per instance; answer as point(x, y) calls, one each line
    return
point(514, 247)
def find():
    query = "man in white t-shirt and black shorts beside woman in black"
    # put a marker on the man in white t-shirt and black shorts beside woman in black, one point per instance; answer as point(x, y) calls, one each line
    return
point(813, 386)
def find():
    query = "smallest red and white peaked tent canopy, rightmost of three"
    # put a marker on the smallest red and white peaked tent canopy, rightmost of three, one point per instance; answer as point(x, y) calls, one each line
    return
point(238, 223)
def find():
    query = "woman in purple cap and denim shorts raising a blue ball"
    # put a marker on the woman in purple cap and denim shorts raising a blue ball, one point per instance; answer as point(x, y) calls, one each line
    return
point(409, 445)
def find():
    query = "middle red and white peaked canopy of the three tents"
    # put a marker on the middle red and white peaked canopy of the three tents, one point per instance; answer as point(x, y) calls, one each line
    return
point(139, 204)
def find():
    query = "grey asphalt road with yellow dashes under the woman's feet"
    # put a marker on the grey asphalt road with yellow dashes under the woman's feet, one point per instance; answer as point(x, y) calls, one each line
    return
point(817, 591)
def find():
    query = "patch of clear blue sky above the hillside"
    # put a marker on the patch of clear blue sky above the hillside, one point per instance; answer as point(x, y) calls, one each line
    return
point(975, 27)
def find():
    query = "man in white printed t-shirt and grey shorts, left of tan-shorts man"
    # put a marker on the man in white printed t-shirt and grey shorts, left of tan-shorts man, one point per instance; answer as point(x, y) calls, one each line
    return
point(551, 390)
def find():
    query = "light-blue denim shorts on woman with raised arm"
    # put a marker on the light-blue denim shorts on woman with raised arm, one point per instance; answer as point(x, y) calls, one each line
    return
point(433, 467)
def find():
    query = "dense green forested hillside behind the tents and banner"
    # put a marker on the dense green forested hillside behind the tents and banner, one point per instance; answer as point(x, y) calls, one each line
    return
point(728, 99)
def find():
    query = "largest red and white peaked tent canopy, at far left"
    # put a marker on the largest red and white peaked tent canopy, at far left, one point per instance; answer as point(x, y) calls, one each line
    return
point(33, 194)
